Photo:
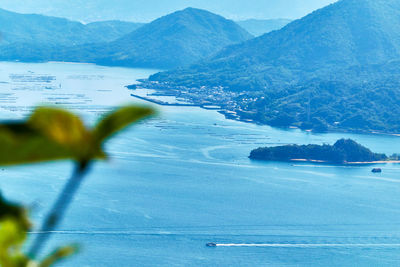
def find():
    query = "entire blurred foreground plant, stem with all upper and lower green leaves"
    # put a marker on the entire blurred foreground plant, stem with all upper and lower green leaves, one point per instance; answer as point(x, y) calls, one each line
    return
point(53, 134)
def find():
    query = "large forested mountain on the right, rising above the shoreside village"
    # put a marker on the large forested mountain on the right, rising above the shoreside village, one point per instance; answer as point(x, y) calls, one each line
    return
point(336, 68)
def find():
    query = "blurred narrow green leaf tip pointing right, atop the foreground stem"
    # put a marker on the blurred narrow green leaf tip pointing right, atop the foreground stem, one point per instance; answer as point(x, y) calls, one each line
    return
point(119, 119)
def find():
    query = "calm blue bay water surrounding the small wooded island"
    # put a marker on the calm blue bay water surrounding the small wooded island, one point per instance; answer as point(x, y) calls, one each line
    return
point(183, 179)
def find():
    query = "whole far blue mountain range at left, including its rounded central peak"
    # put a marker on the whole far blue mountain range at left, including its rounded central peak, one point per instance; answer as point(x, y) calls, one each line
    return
point(175, 40)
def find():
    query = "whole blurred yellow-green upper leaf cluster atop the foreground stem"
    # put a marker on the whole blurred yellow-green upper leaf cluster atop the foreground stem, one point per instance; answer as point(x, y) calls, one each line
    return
point(56, 134)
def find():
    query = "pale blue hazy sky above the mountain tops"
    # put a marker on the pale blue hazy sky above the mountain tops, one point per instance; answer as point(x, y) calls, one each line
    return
point(146, 10)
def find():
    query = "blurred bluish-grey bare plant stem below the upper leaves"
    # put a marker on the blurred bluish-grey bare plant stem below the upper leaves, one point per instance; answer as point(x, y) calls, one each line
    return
point(59, 208)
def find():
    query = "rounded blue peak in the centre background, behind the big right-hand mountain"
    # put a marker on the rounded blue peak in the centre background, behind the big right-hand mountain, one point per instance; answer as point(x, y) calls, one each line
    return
point(178, 39)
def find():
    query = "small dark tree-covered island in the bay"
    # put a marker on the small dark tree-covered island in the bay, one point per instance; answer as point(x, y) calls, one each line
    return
point(344, 151)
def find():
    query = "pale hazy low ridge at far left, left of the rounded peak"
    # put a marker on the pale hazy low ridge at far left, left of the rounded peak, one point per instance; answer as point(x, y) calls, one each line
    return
point(38, 29)
